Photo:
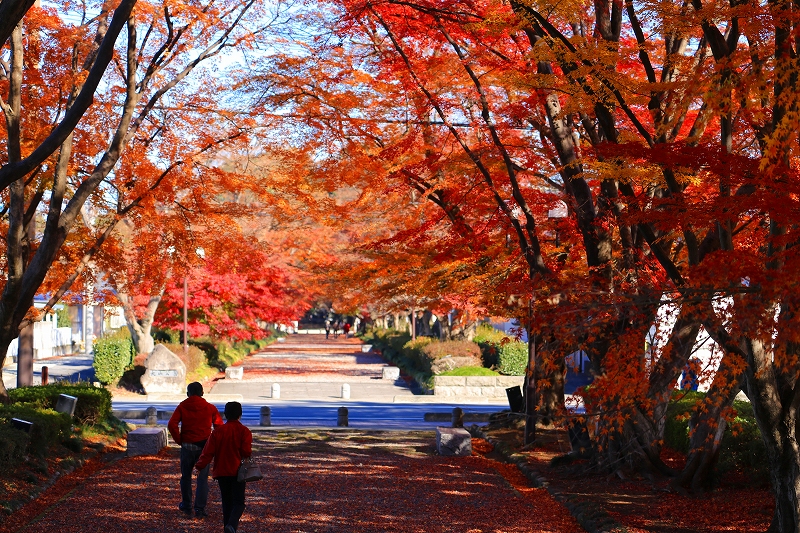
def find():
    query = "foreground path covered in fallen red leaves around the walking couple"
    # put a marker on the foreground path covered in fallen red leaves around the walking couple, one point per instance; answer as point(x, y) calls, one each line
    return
point(315, 481)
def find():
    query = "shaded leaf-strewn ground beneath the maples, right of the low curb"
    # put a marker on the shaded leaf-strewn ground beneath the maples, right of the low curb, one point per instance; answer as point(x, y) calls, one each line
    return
point(639, 505)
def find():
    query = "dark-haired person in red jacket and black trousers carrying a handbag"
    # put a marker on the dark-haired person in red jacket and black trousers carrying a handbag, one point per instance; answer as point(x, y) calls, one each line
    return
point(227, 446)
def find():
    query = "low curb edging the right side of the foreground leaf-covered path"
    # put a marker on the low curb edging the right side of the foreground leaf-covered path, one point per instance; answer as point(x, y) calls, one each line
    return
point(590, 515)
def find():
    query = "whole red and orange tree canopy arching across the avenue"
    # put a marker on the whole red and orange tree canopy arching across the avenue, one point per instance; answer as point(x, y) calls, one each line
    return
point(591, 169)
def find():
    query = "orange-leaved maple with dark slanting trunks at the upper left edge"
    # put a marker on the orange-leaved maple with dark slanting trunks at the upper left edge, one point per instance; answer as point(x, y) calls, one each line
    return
point(105, 170)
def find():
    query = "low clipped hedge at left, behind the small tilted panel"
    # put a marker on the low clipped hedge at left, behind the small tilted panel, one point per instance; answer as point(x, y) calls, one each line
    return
point(93, 405)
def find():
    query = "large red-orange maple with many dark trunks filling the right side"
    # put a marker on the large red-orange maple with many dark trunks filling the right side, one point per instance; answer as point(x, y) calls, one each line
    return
point(670, 146)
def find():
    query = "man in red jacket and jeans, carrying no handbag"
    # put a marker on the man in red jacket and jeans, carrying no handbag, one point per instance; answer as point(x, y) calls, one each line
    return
point(194, 416)
